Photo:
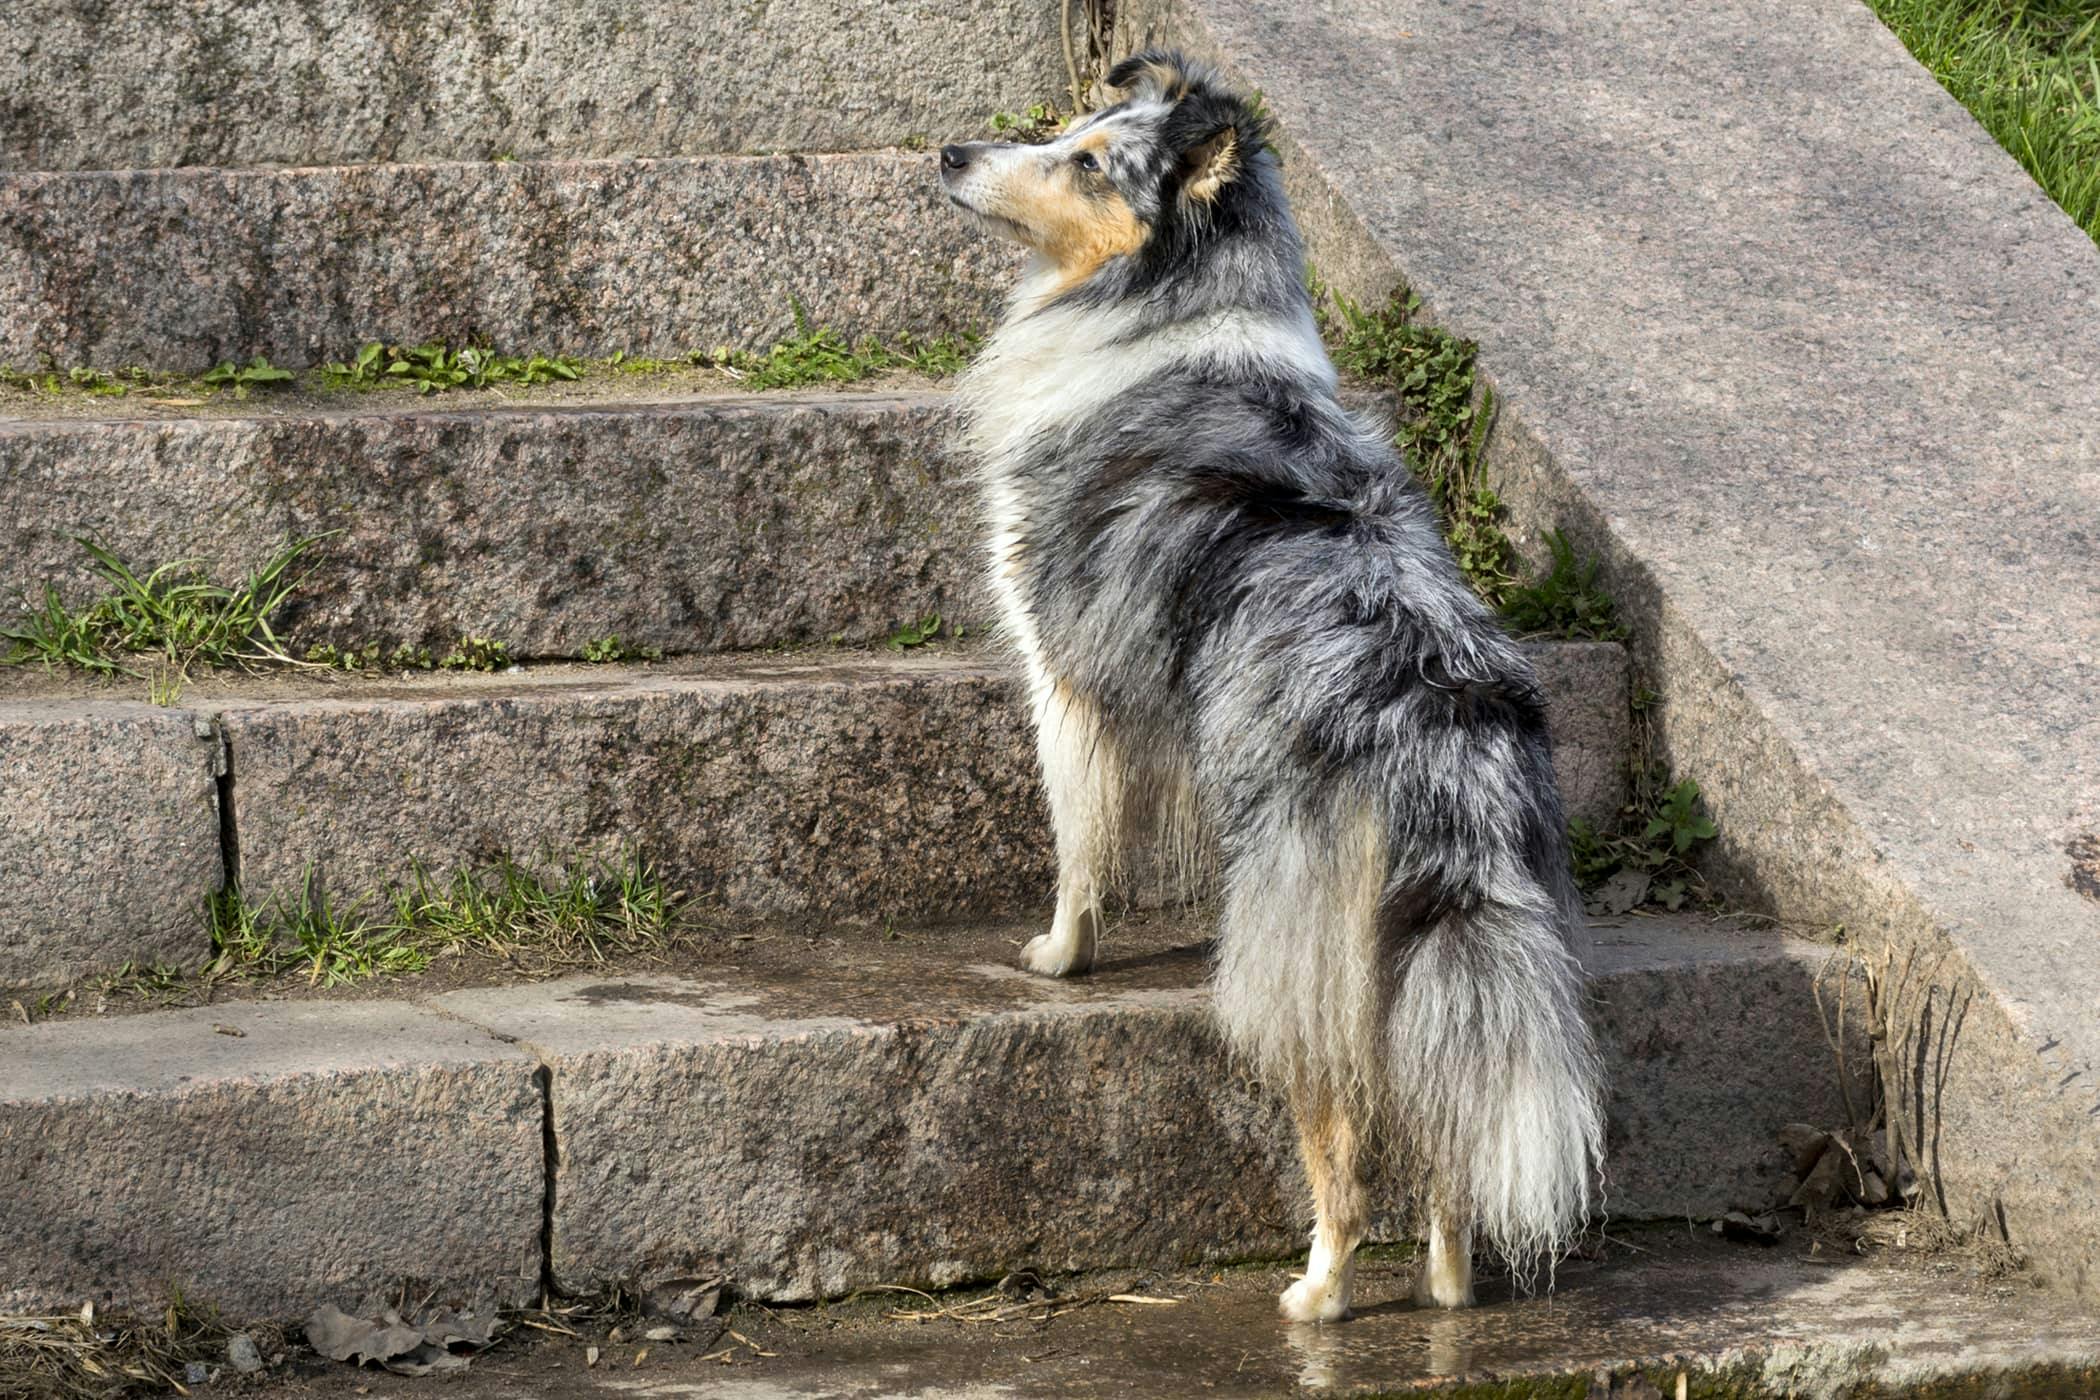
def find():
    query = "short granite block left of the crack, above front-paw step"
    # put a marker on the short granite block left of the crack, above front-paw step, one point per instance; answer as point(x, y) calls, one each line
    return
point(108, 839)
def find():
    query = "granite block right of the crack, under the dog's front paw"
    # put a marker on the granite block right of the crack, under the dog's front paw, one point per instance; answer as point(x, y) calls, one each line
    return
point(927, 1113)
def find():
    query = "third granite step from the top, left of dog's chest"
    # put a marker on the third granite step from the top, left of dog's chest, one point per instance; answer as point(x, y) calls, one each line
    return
point(694, 526)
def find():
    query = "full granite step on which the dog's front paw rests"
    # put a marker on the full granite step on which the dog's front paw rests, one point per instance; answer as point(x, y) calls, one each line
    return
point(799, 1113)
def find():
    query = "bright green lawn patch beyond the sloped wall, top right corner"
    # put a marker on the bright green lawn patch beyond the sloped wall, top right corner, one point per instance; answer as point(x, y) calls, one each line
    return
point(2030, 70)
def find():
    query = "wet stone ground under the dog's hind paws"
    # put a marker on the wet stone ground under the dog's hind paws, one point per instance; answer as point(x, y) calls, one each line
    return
point(1729, 1319)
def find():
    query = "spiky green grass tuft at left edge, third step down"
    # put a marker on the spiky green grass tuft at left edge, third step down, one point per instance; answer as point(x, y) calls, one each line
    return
point(171, 612)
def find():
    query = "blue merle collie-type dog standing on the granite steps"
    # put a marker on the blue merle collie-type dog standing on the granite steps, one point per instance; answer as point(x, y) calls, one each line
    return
point(1234, 603)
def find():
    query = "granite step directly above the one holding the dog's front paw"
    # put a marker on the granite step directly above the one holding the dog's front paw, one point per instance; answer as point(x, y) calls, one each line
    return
point(822, 784)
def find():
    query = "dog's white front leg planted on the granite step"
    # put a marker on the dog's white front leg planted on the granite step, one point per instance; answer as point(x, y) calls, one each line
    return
point(1085, 782)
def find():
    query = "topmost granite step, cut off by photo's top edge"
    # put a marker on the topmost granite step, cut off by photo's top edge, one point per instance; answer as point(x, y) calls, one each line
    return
point(169, 83)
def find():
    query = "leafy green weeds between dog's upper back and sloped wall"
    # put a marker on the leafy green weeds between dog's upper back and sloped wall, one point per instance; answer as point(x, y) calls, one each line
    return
point(1442, 429)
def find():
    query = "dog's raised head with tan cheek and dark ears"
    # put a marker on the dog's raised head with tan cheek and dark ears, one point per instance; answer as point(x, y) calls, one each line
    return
point(1162, 167)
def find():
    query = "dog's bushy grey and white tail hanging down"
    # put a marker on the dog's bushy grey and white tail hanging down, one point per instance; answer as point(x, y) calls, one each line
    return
point(1494, 1076)
